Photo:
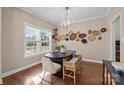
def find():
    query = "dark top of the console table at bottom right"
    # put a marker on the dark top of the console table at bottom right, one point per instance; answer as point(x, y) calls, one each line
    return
point(118, 78)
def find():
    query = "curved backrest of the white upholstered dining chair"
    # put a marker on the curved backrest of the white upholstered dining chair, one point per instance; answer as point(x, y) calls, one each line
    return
point(48, 66)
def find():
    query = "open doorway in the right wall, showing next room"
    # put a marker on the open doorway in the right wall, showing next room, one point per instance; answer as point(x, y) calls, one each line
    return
point(115, 39)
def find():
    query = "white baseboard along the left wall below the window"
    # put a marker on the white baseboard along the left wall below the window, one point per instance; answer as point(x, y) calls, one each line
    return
point(18, 69)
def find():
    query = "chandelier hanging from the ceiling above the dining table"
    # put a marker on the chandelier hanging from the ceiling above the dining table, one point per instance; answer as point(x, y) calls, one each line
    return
point(66, 21)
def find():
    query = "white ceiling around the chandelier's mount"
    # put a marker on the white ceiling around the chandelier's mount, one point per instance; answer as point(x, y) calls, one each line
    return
point(53, 14)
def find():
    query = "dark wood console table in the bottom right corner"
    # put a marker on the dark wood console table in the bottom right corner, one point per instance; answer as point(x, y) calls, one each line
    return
point(111, 75)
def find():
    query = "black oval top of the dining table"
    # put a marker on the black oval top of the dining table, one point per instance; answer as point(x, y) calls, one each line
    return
point(60, 54)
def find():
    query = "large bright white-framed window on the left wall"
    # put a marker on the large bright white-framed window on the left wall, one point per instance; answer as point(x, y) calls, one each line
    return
point(37, 40)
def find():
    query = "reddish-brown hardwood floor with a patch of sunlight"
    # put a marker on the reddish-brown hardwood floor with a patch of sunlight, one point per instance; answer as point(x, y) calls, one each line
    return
point(87, 74)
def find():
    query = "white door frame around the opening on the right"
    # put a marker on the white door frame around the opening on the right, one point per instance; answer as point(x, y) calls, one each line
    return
point(111, 36)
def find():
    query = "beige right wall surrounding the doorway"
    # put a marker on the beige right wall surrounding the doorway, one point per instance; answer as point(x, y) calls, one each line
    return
point(112, 14)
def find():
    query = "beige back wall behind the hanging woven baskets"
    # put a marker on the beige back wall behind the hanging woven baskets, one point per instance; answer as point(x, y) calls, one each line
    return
point(96, 50)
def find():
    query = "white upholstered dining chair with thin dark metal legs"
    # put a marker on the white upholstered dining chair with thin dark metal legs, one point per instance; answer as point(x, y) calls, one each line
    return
point(49, 67)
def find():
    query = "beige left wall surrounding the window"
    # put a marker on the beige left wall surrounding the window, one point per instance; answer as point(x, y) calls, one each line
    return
point(13, 20)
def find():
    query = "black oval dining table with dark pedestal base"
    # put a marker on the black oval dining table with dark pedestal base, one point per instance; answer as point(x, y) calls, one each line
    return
point(58, 56)
